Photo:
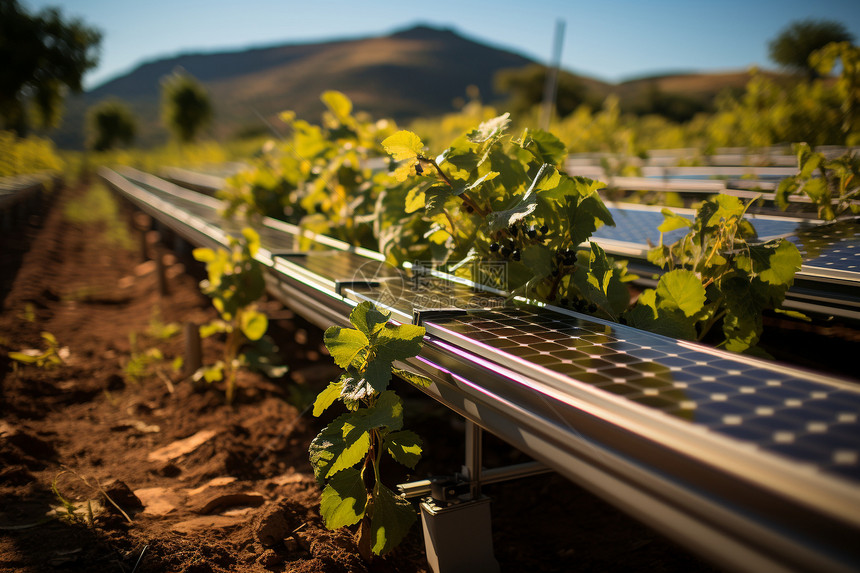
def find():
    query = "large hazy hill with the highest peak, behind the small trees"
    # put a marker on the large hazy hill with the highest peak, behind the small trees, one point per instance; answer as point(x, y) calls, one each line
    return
point(415, 72)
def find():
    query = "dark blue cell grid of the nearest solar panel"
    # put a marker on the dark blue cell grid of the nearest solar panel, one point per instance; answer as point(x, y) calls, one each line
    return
point(781, 411)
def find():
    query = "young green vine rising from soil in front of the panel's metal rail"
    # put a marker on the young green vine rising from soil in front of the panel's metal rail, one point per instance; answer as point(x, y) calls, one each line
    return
point(346, 455)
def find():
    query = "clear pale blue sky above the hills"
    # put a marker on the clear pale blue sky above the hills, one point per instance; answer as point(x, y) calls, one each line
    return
point(610, 40)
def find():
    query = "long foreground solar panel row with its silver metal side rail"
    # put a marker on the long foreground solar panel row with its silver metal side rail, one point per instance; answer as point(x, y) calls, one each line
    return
point(753, 464)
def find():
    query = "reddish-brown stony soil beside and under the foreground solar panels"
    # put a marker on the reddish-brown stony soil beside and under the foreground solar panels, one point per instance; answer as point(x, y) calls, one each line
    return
point(204, 486)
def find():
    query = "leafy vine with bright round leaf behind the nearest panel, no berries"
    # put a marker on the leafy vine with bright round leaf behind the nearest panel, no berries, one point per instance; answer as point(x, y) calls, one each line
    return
point(718, 274)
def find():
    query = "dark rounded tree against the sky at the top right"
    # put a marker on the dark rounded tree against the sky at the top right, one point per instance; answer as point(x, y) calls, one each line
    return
point(799, 40)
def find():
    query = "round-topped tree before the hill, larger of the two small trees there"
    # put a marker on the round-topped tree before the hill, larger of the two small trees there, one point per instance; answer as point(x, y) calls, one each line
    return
point(185, 106)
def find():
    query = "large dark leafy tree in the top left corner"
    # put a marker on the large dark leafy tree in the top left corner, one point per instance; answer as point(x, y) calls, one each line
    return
point(43, 59)
